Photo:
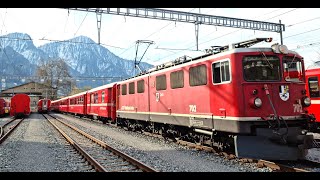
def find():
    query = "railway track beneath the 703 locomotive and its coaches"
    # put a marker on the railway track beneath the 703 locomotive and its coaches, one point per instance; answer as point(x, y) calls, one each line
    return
point(275, 166)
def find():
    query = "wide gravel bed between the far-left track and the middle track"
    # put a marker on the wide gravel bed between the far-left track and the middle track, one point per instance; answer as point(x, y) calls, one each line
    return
point(35, 146)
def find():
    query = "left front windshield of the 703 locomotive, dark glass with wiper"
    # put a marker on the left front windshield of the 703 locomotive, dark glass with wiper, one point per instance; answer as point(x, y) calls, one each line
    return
point(261, 68)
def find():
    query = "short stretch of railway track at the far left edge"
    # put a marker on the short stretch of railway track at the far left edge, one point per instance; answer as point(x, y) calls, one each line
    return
point(7, 128)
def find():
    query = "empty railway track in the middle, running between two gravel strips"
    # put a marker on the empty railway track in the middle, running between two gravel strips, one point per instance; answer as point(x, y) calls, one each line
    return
point(101, 156)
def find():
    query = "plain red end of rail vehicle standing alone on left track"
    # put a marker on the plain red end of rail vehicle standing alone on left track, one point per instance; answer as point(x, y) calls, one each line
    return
point(20, 105)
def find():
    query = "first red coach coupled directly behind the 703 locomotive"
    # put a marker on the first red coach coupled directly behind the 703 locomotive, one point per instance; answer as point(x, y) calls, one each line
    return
point(101, 103)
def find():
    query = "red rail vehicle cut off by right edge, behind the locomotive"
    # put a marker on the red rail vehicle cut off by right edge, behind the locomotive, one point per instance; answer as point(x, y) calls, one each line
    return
point(312, 87)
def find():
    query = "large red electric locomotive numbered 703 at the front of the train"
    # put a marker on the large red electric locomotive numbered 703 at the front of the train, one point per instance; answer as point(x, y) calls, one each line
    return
point(234, 97)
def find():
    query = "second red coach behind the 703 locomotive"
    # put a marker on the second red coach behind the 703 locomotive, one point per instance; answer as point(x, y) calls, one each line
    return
point(77, 104)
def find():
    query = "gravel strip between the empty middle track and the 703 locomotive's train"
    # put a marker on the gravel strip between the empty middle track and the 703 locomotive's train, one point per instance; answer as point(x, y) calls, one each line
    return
point(161, 155)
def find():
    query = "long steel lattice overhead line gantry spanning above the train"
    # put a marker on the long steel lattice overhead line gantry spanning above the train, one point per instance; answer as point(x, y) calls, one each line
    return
point(187, 17)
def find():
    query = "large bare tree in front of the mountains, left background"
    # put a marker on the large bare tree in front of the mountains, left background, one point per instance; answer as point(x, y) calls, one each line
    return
point(56, 75)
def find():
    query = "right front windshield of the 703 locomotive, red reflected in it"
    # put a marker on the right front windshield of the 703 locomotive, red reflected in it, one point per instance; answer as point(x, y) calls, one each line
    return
point(292, 69)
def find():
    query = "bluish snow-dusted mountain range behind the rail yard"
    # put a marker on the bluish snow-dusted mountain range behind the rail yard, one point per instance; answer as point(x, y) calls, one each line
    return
point(85, 58)
